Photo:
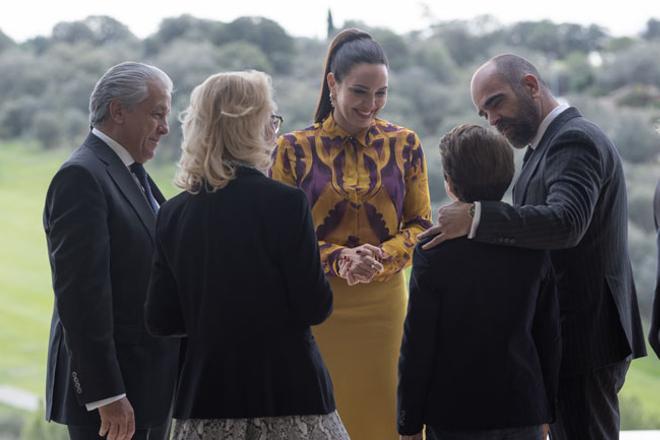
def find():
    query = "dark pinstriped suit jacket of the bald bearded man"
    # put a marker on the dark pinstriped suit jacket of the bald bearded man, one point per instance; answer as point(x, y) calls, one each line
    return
point(571, 198)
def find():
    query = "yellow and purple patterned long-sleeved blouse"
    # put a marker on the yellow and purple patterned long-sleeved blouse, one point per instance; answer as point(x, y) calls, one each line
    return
point(368, 188)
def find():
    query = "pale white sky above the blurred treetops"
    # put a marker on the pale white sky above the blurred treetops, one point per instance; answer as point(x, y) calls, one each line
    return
point(24, 19)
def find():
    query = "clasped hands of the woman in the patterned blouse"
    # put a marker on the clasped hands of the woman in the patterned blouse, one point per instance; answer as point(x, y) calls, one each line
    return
point(361, 264)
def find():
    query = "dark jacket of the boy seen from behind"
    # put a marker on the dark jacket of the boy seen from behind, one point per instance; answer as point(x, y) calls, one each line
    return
point(481, 345)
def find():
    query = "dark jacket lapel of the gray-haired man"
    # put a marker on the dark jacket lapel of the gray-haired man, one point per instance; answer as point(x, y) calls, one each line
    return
point(125, 182)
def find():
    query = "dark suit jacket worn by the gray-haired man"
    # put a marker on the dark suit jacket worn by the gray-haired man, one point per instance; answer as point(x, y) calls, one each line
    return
point(99, 229)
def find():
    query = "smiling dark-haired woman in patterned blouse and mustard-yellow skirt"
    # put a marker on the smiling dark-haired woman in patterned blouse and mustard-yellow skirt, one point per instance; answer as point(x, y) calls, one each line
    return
point(367, 184)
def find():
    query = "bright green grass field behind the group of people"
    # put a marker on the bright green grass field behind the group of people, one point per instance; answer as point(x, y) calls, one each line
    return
point(26, 295)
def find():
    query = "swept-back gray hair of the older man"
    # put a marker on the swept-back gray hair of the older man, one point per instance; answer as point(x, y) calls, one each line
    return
point(127, 82)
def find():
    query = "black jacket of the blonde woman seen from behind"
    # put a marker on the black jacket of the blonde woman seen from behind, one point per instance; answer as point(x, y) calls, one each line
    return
point(238, 272)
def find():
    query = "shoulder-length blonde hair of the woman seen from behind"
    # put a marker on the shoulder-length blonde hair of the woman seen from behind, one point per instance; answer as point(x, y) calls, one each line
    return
point(225, 126)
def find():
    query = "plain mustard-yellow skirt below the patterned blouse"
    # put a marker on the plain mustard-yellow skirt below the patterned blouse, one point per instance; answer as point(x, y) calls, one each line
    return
point(360, 346)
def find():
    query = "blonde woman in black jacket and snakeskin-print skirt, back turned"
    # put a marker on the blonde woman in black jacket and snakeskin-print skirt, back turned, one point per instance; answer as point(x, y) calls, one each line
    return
point(237, 273)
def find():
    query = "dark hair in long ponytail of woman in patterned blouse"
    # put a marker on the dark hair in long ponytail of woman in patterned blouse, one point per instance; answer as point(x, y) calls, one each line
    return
point(348, 48)
